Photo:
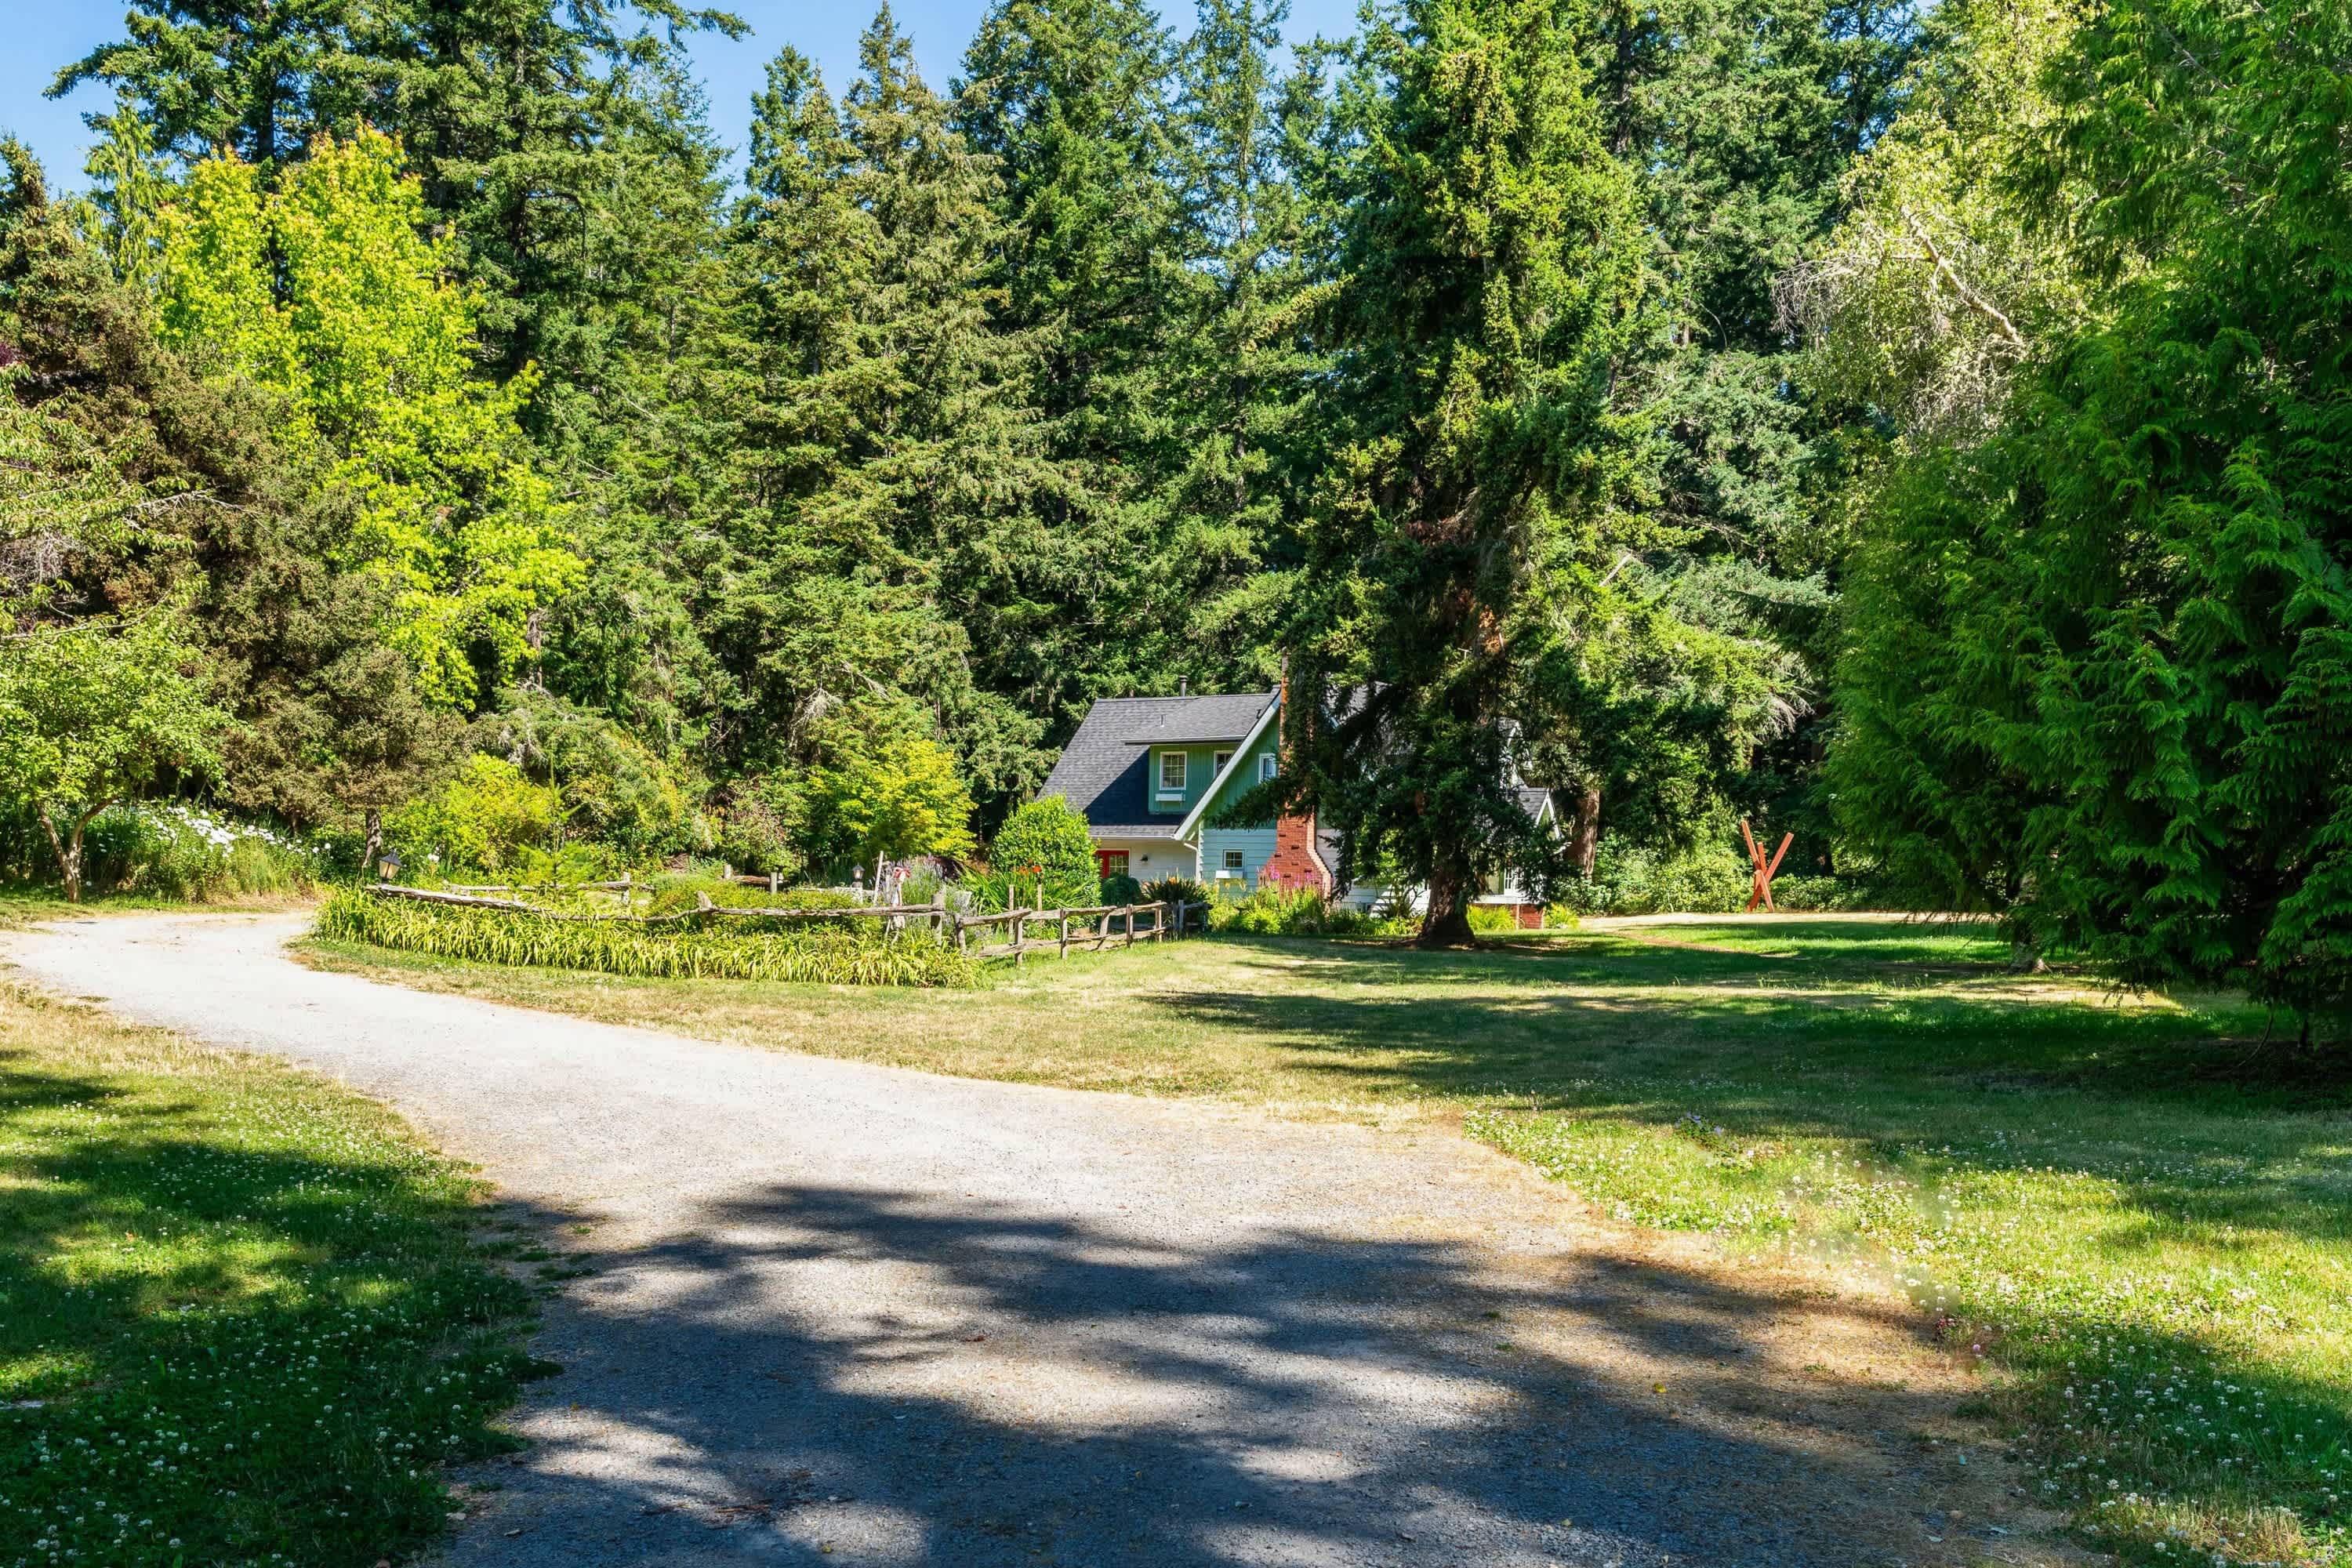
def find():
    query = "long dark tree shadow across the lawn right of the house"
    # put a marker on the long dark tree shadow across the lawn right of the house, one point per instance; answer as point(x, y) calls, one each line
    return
point(2179, 1108)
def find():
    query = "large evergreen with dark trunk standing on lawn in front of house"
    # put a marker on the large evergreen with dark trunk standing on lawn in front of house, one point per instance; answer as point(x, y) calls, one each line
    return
point(1495, 293)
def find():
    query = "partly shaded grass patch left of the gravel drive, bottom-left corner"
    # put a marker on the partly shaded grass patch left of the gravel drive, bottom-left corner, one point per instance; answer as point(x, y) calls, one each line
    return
point(243, 1318)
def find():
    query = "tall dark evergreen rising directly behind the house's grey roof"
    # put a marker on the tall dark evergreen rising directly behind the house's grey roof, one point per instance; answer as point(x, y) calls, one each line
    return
point(1069, 100)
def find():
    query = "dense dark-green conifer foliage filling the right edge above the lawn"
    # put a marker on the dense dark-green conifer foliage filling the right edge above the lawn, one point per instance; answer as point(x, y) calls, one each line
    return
point(2099, 659)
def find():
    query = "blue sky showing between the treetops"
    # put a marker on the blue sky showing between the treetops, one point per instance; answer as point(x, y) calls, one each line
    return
point(48, 34)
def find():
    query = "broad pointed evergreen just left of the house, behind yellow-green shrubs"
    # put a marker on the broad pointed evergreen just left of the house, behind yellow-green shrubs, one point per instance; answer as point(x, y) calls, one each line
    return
point(886, 455)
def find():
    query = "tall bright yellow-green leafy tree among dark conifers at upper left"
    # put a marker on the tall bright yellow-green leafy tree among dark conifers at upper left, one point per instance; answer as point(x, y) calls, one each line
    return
point(328, 290)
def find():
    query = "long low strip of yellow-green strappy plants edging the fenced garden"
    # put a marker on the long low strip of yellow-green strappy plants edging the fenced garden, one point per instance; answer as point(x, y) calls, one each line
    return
point(681, 949)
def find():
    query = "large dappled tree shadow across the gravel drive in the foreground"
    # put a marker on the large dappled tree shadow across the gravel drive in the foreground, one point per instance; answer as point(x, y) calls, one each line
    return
point(926, 1381)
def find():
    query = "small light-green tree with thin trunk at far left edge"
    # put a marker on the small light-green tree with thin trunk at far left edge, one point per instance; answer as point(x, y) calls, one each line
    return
point(93, 713)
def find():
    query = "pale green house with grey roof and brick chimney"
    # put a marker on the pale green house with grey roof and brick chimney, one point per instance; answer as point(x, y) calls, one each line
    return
point(1151, 772)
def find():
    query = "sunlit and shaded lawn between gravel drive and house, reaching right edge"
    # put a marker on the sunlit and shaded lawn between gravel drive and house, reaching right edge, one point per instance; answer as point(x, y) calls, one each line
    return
point(2123, 1207)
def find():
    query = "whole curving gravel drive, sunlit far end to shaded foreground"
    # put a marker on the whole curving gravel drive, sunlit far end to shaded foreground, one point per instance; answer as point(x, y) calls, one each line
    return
point(860, 1315)
